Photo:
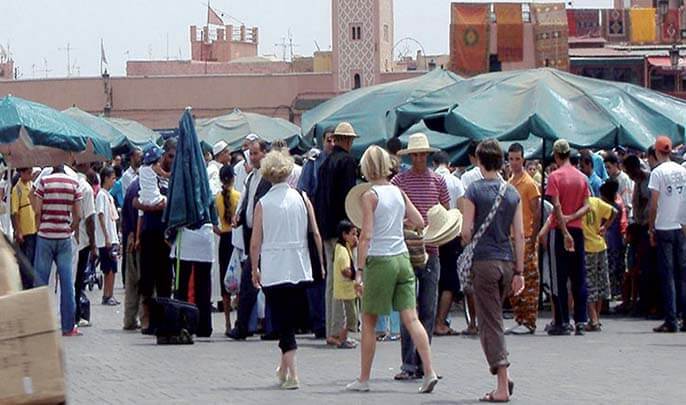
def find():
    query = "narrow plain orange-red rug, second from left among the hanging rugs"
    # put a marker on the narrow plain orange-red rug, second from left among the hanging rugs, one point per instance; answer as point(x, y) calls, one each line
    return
point(508, 18)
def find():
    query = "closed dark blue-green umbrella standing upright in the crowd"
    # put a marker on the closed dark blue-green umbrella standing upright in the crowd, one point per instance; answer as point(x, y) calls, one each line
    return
point(189, 201)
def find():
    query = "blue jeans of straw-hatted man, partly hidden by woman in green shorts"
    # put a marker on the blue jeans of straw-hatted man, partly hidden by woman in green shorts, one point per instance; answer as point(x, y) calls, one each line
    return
point(427, 302)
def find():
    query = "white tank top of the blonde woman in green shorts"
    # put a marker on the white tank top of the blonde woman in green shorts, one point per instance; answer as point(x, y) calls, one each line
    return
point(388, 239)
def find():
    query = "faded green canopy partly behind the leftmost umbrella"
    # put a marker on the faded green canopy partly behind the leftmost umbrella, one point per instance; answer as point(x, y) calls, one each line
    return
point(123, 135)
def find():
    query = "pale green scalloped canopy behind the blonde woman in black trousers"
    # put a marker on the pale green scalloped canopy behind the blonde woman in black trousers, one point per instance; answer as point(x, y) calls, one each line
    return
point(234, 127)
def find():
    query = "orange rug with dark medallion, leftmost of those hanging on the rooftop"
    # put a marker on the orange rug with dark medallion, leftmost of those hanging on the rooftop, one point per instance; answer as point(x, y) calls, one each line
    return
point(469, 38)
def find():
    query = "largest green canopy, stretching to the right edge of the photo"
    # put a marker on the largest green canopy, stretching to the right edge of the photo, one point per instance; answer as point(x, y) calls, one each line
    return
point(550, 104)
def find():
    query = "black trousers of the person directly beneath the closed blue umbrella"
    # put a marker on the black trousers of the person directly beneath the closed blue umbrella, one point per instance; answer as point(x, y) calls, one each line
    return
point(202, 292)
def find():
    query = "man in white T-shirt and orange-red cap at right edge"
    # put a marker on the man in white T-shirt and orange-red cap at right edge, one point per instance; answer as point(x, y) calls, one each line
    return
point(668, 191)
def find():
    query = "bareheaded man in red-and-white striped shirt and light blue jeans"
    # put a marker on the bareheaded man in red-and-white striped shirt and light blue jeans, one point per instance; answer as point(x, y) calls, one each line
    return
point(58, 201)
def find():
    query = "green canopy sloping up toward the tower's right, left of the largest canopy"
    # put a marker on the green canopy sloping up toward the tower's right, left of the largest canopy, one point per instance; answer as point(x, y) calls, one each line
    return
point(371, 110)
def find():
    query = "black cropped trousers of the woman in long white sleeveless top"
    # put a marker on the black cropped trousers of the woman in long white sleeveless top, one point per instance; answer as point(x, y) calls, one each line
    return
point(284, 316)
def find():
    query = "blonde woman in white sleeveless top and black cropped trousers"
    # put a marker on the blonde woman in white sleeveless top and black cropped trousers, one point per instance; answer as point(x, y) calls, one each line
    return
point(279, 247)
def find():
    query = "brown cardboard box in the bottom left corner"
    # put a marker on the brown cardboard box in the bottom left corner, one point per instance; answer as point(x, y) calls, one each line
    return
point(31, 369)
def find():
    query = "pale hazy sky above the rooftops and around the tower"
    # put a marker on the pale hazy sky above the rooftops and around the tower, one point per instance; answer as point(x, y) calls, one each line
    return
point(39, 30)
